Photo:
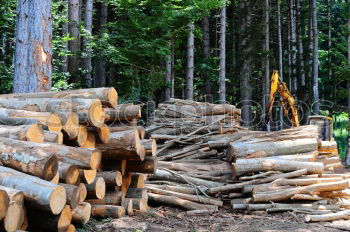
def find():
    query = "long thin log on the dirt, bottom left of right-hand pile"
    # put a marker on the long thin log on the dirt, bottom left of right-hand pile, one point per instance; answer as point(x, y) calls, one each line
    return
point(194, 198)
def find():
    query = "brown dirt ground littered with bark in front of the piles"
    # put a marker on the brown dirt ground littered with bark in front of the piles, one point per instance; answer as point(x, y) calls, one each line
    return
point(164, 219)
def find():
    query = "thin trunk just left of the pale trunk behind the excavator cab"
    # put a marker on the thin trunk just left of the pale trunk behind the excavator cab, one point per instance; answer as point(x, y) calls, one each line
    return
point(300, 45)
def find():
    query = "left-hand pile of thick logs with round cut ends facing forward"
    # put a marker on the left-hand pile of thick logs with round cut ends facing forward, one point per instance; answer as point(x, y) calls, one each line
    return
point(69, 156)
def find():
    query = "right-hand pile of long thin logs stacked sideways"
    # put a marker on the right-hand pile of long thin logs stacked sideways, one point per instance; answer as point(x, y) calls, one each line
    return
point(201, 168)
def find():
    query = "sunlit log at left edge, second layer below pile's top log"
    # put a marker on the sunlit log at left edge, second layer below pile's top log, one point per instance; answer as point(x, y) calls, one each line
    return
point(22, 117)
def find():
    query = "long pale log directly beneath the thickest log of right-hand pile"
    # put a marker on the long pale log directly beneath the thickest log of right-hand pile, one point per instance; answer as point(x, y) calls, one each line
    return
point(245, 166)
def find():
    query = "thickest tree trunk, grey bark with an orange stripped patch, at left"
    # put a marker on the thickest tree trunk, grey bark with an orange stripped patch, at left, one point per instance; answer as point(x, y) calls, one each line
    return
point(33, 52)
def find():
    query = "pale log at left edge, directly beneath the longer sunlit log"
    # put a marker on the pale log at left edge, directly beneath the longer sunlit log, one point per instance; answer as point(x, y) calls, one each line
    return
point(31, 133)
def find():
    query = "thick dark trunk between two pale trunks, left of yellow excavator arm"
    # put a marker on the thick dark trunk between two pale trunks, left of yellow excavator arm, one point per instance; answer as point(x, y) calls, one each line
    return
point(245, 61)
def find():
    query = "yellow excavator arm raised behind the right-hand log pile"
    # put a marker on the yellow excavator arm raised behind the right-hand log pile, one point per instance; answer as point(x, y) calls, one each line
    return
point(286, 99)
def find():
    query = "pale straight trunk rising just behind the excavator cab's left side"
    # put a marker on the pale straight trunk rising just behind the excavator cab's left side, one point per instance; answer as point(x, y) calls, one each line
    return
point(316, 105)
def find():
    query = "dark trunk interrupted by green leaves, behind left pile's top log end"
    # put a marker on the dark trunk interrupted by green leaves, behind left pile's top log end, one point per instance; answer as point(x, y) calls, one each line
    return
point(100, 74)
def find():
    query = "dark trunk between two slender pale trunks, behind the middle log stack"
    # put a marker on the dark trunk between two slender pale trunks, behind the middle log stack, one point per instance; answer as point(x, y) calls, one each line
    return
point(206, 54)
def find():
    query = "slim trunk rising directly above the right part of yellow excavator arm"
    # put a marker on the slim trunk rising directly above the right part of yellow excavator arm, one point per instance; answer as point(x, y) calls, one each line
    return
point(293, 46)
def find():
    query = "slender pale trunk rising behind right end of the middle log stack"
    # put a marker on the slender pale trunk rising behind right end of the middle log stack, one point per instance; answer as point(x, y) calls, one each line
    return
point(222, 72)
